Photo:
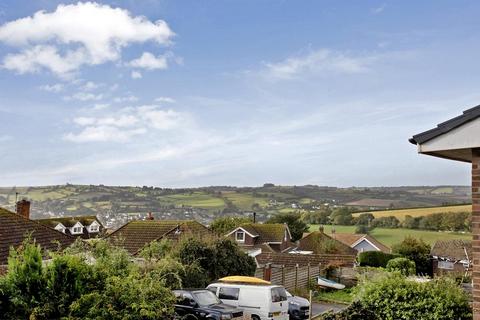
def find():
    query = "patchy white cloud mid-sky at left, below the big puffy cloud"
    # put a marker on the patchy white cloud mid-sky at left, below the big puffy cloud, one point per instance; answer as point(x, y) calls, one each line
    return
point(125, 124)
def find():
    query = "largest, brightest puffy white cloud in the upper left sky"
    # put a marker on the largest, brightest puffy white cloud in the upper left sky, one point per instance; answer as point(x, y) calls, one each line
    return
point(74, 35)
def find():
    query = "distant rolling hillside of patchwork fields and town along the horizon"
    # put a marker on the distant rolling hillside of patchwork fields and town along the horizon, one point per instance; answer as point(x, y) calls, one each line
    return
point(117, 204)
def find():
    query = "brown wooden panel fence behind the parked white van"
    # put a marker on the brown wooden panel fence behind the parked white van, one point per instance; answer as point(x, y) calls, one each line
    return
point(291, 277)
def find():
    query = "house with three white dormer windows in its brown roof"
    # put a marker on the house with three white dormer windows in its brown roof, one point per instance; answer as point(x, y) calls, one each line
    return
point(85, 227)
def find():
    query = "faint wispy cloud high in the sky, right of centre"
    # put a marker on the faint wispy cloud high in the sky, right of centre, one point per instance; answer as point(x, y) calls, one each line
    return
point(322, 61)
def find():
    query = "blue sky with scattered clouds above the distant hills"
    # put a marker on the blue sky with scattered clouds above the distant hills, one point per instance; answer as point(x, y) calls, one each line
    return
point(193, 93)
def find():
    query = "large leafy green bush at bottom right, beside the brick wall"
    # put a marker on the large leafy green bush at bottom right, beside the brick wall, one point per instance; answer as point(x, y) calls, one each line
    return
point(393, 297)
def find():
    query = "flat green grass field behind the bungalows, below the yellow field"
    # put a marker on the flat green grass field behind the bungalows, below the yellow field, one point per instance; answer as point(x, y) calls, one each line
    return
point(390, 237)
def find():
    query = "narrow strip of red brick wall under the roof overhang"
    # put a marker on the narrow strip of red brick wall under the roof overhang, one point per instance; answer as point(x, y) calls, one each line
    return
point(476, 231)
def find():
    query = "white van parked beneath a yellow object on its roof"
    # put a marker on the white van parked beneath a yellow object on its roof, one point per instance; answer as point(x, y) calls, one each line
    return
point(262, 302)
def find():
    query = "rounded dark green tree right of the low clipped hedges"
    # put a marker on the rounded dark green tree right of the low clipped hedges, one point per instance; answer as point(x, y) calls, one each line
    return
point(416, 250)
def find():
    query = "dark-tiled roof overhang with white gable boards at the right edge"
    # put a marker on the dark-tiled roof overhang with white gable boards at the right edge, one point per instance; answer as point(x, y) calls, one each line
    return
point(453, 139)
